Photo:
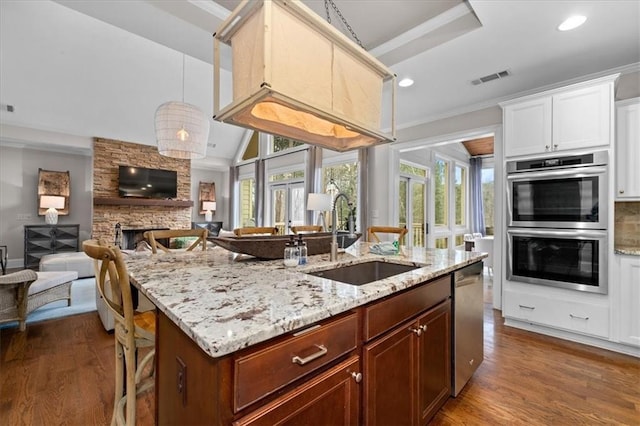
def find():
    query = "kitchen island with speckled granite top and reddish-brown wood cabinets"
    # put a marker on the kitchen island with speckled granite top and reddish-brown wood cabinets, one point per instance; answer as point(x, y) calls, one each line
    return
point(245, 341)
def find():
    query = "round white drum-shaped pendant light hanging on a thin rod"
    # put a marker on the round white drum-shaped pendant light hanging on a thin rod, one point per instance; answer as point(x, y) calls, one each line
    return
point(182, 130)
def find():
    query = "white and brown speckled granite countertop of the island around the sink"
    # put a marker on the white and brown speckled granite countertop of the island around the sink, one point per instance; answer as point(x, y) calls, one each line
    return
point(226, 302)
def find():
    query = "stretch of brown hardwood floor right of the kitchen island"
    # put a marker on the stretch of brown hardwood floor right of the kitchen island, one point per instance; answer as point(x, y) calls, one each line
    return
point(527, 378)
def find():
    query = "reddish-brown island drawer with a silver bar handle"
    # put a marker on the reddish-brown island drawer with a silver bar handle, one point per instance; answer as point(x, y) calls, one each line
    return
point(262, 372)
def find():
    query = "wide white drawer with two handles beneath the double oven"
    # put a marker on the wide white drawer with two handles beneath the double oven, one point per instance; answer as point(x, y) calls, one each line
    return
point(579, 317)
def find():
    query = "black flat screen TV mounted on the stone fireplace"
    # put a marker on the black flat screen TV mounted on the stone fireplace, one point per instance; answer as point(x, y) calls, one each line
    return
point(147, 183)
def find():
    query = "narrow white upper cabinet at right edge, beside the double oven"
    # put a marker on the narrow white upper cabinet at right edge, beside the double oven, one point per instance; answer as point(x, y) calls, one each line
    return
point(628, 150)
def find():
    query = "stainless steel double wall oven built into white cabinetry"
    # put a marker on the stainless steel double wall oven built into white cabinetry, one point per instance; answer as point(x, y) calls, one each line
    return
point(557, 221)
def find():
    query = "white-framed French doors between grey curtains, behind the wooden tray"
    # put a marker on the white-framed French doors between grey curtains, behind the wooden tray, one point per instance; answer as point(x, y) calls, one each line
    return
point(287, 205)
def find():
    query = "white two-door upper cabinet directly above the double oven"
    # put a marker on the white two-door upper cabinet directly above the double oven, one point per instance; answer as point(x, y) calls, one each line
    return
point(575, 117)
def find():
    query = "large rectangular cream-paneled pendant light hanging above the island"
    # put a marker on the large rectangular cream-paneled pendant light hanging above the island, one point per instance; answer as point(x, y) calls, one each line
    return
point(296, 76)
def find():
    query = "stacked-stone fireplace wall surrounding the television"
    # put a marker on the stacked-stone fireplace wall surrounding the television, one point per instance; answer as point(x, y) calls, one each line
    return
point(140, 214)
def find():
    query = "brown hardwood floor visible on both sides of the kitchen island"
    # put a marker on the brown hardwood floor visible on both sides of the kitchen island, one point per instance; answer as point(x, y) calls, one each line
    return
point(61, 372)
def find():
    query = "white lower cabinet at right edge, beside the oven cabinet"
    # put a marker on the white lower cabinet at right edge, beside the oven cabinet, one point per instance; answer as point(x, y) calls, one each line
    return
point(628, 277)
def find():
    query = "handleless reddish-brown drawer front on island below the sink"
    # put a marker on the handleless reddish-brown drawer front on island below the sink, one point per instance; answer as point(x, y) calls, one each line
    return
point(382, 316)
